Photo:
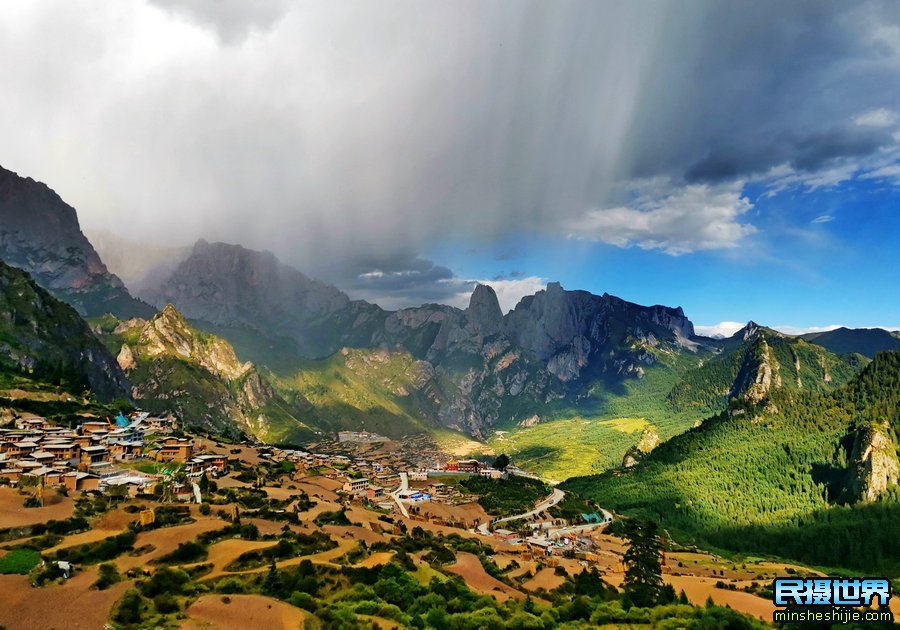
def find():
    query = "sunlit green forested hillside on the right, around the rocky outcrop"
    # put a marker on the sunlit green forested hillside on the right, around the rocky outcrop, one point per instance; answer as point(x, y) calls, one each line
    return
point(759, 478)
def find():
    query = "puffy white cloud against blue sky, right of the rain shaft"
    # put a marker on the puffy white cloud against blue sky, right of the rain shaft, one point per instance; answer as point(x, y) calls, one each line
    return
point(676, 220)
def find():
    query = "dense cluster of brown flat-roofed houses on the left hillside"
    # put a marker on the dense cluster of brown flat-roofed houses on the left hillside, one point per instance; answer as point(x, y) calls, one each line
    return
point(95, 456)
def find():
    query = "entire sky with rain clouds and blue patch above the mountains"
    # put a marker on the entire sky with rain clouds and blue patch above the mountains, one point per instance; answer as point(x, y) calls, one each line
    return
point(741, 160)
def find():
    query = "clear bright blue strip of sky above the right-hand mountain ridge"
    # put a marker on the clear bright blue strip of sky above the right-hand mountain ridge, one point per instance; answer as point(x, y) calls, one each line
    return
point(819, 258)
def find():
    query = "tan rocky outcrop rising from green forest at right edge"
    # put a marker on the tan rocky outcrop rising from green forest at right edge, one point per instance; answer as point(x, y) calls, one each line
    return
point(873, 464)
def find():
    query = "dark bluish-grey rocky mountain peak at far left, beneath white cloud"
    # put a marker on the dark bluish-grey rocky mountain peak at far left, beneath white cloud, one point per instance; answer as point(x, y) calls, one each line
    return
point(40, 233)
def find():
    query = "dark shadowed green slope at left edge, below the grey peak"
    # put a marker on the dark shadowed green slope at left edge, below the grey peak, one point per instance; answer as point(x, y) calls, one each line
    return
point(43, 337)
